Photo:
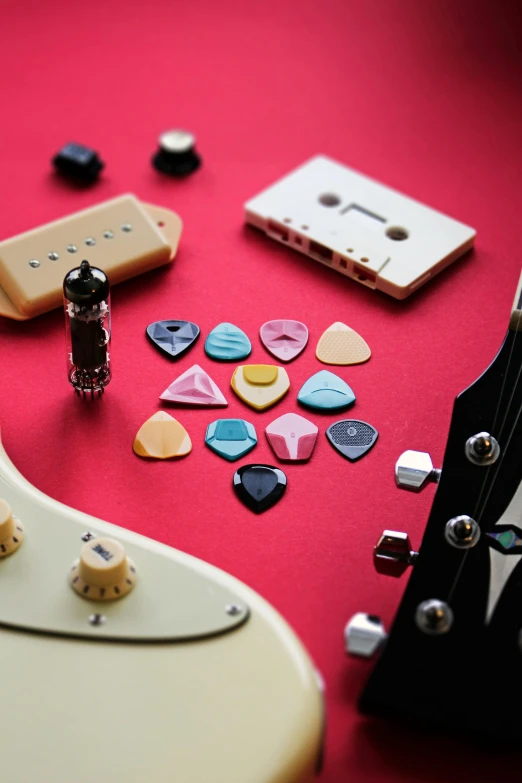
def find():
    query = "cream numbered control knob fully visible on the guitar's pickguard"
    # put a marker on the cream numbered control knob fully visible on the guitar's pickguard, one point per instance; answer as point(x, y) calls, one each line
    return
point(103, 572)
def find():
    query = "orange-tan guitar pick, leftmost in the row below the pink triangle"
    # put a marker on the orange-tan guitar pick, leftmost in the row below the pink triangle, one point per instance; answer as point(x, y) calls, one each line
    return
point(162, 437)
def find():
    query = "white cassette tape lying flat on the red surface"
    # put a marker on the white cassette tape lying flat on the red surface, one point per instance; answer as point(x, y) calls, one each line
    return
point(360, 228)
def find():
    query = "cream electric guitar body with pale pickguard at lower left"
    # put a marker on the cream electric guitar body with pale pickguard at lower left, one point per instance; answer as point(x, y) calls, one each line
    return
point(189, 678)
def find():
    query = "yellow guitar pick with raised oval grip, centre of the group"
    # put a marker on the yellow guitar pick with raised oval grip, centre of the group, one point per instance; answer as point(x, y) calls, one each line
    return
point(260, 385)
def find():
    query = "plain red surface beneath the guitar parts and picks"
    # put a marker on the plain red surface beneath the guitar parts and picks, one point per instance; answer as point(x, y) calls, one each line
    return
point(421, 95)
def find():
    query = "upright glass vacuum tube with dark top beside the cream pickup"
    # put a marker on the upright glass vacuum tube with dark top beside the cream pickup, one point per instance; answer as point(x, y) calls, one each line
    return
point(88, 328)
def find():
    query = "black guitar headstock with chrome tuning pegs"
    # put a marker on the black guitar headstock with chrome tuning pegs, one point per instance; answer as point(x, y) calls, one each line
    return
point(455, 647)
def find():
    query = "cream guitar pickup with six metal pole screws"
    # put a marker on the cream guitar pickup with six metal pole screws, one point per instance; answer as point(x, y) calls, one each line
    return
point(123, 236)
